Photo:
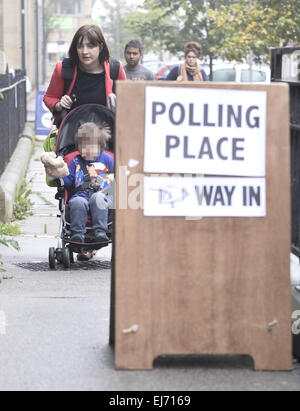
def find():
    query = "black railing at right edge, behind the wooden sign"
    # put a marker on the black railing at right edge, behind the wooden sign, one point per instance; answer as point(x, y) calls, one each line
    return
point(285, 67)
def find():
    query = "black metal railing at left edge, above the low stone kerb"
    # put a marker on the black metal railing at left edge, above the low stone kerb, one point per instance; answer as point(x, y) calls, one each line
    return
point(12, 113)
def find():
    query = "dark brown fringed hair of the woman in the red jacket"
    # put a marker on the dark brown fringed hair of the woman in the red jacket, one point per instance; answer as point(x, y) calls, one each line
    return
point(95, 36)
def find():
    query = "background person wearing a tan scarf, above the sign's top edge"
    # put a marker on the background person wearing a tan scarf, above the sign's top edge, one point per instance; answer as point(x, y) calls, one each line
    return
point(190, 70)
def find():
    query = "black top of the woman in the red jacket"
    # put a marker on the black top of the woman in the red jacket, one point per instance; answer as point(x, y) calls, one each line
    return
point(89, 88)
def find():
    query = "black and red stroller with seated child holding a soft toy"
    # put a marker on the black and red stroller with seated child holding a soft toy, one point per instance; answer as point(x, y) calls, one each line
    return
point(85, 194)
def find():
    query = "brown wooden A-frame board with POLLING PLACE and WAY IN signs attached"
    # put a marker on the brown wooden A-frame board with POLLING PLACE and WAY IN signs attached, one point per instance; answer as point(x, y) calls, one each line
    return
point(212, 285)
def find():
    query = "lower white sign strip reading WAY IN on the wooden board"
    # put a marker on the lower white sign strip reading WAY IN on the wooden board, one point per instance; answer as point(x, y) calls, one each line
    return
point(204, 197)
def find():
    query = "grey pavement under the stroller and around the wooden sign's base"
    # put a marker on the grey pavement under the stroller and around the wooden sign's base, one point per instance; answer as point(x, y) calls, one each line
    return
point(54, 325)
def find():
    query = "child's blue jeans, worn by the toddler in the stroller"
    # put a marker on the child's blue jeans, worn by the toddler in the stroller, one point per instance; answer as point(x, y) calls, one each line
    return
point(98, 205)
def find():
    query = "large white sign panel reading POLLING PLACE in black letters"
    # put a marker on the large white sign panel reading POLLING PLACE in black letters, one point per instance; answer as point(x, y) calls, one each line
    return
point(205, 131)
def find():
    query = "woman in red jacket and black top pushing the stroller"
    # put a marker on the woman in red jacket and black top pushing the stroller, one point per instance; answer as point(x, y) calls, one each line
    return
point(89, 73)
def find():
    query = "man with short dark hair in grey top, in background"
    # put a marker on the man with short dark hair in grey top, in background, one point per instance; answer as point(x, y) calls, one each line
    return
point(134, 70)
